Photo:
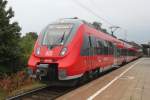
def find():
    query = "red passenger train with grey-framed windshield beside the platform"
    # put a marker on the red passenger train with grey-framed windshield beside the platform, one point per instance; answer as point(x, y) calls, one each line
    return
point(73, 49)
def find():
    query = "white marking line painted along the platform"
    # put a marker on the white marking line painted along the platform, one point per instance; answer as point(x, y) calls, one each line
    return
point(111, 82)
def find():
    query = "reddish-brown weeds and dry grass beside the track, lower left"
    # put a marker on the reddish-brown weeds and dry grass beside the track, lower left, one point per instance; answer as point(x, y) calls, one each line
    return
point(16, 84)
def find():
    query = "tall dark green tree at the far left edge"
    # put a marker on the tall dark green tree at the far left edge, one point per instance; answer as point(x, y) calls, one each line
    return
point(9, 39)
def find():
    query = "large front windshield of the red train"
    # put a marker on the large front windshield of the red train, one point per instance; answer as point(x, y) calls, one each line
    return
point(56, 34)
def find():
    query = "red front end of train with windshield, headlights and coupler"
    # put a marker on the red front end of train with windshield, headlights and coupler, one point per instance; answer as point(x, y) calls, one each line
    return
point(50, 58)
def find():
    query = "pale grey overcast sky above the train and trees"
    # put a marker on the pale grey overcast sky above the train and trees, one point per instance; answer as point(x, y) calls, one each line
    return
point(133, 16)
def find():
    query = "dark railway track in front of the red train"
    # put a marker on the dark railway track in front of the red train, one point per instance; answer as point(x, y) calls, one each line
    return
point(44, 93)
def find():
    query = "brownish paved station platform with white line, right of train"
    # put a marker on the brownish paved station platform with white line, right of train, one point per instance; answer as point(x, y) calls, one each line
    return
point(130, 82)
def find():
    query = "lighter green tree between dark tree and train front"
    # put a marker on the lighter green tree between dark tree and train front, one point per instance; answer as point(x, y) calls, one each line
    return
point(26, 44)
